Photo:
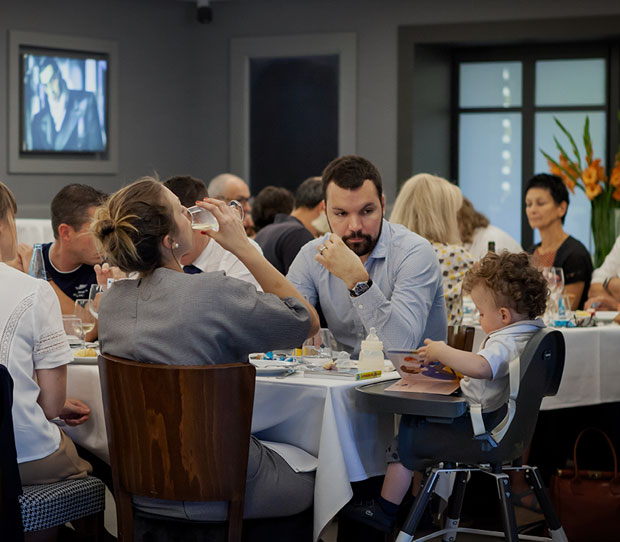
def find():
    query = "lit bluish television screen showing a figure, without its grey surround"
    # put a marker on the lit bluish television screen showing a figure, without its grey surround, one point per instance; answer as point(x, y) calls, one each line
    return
point(64, 102)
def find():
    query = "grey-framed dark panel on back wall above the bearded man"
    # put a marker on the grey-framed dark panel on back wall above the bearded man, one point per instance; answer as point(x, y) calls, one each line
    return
point(293, 106)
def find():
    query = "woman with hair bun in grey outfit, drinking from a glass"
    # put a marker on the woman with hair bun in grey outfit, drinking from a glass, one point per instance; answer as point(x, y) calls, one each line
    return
point(167, 316)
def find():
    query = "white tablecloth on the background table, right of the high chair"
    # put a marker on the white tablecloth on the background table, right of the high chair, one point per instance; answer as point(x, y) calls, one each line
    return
point(591, 367)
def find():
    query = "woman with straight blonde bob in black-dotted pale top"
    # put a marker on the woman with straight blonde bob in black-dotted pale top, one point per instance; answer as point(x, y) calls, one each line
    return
point(428, 205)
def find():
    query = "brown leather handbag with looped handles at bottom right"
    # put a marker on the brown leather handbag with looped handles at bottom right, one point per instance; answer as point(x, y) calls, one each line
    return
point(588, 502)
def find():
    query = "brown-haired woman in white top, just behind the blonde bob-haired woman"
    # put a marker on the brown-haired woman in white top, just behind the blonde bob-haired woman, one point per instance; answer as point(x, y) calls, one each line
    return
point(476, 232)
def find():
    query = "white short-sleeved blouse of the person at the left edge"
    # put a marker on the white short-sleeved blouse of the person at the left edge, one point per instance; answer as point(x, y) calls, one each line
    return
point(31, 338)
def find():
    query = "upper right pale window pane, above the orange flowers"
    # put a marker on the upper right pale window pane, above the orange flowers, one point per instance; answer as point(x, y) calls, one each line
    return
point(570, 82)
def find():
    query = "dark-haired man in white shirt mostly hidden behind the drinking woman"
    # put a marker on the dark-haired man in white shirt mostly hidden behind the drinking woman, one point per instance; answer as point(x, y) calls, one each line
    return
point(206, 255)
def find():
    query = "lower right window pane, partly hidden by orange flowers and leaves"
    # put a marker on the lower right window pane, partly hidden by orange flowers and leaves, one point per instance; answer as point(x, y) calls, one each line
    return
point(577, 222)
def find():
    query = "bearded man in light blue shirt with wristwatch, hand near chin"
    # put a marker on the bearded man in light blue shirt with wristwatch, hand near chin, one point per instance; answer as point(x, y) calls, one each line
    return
point(368, 272)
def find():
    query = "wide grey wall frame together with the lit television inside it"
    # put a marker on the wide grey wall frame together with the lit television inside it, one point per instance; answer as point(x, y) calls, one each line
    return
point(62, 104)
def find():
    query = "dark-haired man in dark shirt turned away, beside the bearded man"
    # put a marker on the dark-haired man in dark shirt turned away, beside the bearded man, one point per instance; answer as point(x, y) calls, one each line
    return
point(283, 239)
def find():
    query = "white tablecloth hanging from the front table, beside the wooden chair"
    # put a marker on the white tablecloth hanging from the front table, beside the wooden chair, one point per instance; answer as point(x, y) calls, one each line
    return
point(322, 416)
